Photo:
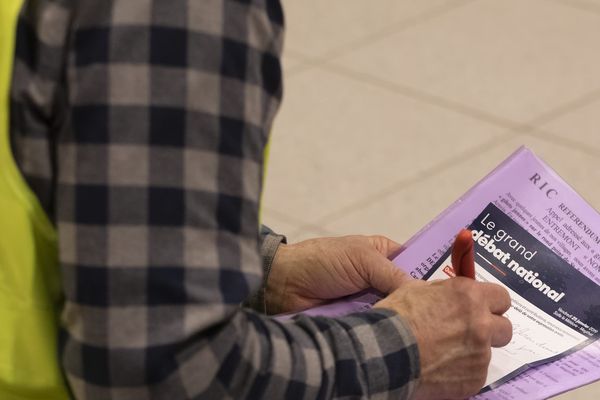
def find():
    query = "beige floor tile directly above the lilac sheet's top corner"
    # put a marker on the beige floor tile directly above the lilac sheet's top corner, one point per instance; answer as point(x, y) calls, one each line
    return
point(404, 213)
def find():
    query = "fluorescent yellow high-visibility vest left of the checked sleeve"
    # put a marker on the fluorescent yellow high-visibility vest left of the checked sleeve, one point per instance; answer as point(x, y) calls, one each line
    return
point(30, 292)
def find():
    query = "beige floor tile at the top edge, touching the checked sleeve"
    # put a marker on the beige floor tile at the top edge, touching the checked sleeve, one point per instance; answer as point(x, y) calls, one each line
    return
point(315, 27)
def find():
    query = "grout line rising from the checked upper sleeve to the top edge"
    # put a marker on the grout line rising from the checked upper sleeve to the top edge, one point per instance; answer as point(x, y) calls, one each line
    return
point(396, 27)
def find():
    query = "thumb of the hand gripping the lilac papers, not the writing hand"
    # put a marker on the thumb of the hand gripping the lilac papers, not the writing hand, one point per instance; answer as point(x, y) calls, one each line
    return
point(381, 274)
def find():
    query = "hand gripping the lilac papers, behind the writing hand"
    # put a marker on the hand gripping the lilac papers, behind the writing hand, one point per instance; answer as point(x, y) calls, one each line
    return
point(309, 273)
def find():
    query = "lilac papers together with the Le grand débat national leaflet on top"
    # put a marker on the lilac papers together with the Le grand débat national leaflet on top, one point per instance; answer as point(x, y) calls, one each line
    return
point(537, 237)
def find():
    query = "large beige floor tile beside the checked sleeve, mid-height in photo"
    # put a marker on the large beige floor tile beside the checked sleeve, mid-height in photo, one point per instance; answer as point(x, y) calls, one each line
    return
point(337, 140)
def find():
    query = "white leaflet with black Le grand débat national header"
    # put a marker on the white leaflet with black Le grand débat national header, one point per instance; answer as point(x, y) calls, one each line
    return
point(552, 310)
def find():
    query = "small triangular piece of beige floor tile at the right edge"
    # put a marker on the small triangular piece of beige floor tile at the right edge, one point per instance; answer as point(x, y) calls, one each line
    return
point(582, 125)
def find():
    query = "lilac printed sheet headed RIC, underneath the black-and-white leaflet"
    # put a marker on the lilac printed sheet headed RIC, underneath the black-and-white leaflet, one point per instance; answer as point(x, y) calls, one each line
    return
point(528, 191)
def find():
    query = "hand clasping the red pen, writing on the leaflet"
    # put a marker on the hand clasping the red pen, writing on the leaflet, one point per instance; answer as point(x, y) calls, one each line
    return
point(456, 322)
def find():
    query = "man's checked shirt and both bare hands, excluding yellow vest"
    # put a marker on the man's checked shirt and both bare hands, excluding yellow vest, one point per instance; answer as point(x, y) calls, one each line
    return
point(140, 127)
